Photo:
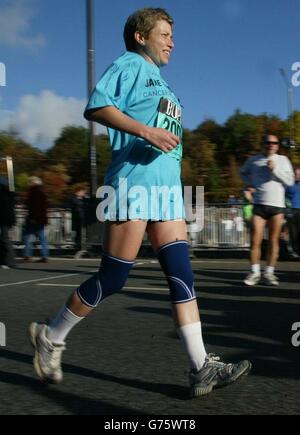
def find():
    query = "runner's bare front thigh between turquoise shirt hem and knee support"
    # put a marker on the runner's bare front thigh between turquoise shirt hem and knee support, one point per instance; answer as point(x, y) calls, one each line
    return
point(161, 233)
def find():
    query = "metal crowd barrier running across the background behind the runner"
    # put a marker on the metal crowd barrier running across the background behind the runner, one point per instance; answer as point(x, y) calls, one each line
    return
point(224, 227)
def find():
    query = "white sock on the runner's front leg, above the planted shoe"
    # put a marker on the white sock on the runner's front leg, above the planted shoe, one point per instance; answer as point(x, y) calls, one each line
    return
point(191, 336)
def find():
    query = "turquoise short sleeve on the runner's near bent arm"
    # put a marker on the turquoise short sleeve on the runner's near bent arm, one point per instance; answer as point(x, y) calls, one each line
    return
point(113, 88)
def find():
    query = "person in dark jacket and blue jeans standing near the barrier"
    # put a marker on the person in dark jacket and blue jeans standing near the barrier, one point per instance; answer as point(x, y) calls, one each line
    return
point(37, 219)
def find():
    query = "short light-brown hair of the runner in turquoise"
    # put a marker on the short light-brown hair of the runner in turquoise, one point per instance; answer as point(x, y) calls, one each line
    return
point(143, 21)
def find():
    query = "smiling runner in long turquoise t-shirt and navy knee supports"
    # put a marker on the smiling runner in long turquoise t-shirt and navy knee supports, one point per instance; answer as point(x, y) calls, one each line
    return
point(144, 122)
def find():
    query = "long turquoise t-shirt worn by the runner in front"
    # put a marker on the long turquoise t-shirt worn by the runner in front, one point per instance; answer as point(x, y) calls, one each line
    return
point(136, 88)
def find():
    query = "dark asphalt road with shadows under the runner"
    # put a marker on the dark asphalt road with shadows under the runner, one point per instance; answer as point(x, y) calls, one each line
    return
point(125, 359)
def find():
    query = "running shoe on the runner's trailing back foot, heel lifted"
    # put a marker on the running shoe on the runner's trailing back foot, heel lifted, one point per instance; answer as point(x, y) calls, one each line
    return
point(47, 359)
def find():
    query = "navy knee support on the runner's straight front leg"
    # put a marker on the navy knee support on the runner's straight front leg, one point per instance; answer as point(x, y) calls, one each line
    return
point(175, 261)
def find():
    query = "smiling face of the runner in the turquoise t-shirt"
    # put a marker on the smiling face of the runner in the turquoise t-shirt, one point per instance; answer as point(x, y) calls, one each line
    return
point(158, 46)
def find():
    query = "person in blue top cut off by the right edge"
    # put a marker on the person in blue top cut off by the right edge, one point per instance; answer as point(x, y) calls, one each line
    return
point(293, 194)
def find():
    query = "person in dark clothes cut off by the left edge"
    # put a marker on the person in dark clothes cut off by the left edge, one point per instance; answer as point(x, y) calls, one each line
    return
point(7, 220)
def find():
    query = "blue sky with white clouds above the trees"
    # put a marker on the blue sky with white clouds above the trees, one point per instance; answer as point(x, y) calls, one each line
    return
point(227, 56)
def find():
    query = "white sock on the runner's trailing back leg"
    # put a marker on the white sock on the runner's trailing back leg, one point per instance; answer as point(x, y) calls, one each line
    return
point(62, 325)
